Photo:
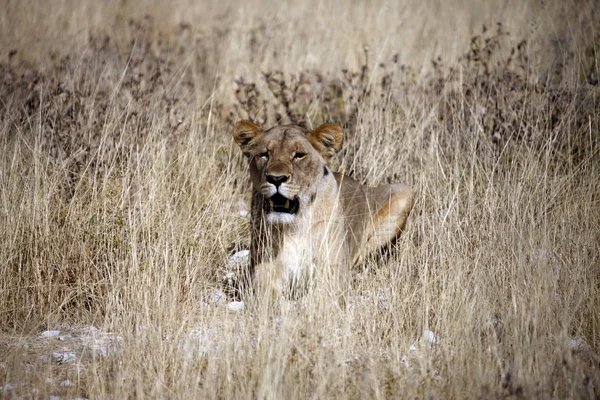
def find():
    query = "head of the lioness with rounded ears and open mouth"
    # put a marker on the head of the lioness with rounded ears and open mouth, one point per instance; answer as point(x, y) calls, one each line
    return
point(287, 165)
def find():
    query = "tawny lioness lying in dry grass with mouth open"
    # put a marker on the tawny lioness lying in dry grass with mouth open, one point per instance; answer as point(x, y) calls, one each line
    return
point(307, 220)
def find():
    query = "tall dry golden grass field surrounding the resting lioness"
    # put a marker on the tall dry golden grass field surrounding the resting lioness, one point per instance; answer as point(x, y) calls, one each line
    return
point(120, 190)
